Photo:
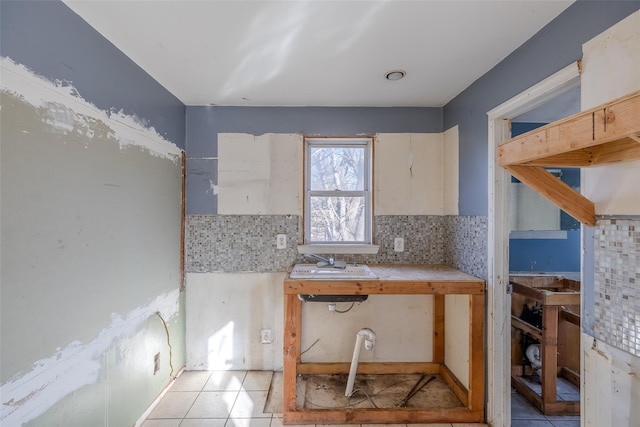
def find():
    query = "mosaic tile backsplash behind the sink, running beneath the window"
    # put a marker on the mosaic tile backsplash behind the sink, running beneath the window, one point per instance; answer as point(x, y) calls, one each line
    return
point(236, 243)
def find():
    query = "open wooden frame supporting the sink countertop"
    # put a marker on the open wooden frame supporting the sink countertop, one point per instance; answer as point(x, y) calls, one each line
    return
point(436, 280)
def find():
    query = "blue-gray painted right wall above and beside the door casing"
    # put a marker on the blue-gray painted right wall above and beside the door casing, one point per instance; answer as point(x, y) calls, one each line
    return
point(553, 48)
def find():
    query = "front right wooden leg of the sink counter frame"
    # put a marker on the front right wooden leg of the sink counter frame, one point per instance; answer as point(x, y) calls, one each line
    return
point(476, 352)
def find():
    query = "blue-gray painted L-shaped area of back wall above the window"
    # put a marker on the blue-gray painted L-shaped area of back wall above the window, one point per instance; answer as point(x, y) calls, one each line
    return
point(204, 123)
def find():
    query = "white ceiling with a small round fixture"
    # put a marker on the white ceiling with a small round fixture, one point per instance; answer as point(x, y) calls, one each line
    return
point(317, 52)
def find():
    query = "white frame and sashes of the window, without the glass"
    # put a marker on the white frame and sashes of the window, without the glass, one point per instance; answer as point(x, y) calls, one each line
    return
point(367, 192)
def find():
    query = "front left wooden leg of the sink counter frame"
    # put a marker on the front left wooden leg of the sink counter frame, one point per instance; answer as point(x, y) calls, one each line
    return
point(291, 353)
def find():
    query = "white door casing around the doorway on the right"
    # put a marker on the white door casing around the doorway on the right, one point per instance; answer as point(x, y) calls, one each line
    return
point(498, 299)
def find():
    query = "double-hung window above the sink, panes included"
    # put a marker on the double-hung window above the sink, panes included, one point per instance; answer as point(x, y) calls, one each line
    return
point(338, 182)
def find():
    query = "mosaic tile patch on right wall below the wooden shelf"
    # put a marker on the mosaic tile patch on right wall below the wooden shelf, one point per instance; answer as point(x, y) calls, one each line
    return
point(617, 283)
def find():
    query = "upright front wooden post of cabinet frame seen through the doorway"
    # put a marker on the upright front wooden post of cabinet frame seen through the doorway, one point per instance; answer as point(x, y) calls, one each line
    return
point(549, 353)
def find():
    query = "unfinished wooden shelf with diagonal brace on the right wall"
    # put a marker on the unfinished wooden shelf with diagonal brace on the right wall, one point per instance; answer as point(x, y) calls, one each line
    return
point(603, 135)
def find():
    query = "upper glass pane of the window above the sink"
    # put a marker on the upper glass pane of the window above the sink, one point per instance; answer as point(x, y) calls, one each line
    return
point(337, 168)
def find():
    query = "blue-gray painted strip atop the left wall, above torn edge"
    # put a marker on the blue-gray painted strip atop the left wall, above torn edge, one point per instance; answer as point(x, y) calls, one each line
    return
point(54, 42)
